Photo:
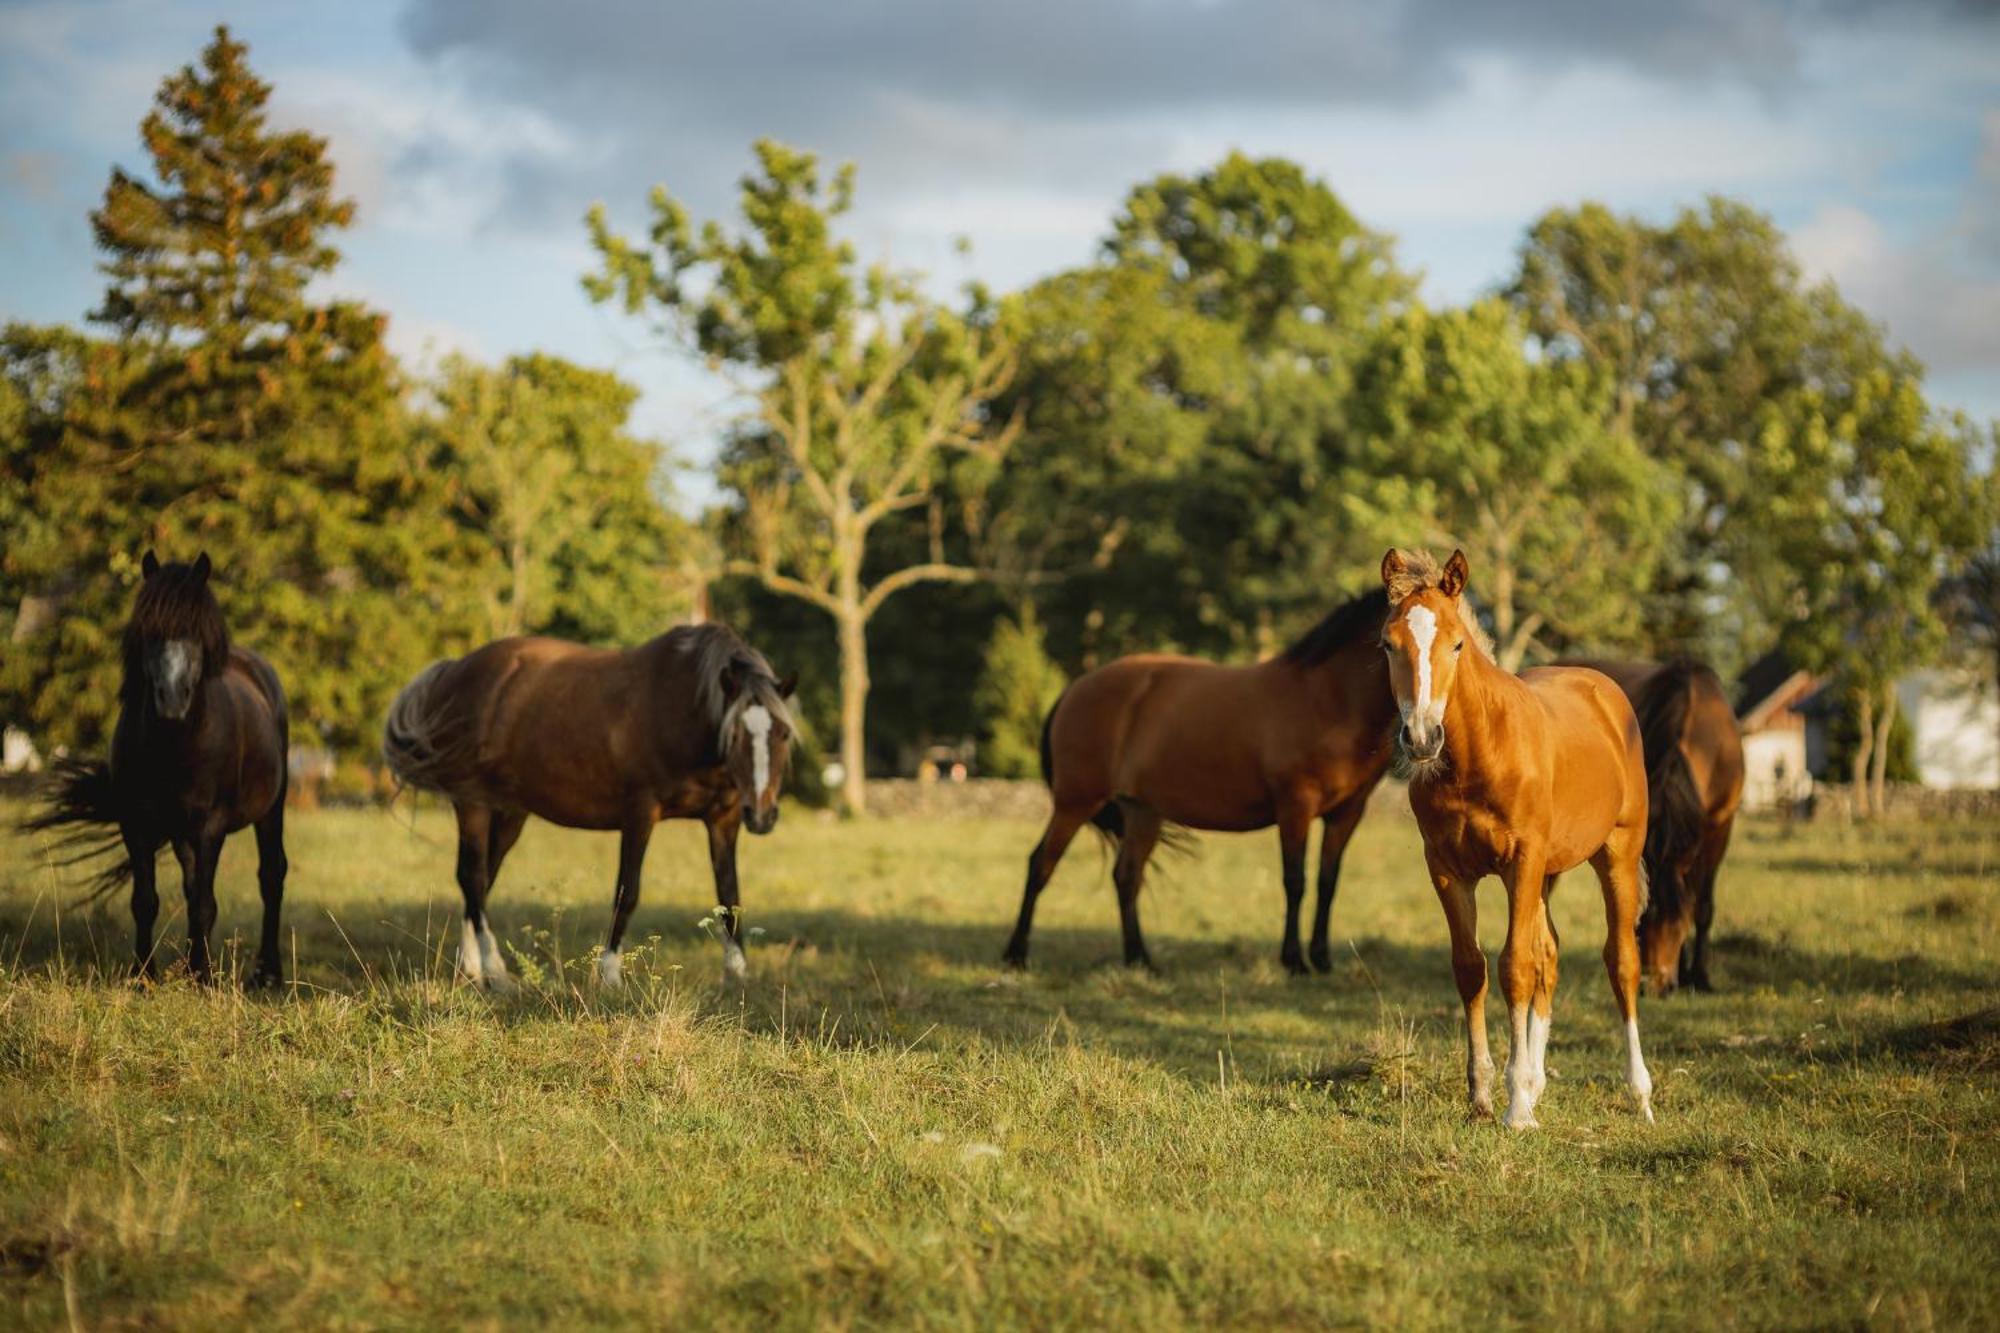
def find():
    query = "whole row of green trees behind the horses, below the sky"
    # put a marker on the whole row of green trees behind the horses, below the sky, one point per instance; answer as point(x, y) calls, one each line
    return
point(1651, 439)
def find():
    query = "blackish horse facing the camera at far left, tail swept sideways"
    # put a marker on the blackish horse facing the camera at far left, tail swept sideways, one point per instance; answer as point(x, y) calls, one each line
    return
point(199, 754)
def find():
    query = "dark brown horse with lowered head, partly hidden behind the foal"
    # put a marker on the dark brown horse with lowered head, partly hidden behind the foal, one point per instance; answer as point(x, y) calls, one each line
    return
point(1695, 772)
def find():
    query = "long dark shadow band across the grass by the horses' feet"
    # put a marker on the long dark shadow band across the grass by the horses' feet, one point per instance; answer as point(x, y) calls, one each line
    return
point(893, 982)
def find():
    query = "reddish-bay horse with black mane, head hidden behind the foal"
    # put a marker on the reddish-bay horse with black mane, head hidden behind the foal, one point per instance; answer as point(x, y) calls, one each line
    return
point(1151, 744)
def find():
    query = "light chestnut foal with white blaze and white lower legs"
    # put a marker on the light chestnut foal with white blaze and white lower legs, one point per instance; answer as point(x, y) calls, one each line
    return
point(1531, 778)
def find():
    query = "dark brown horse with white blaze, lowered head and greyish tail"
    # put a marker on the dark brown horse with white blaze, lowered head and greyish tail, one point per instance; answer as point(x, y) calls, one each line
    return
point(689, 726)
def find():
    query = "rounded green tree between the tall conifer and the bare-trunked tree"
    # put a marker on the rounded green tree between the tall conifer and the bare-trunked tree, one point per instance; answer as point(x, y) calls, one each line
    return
point(559, 495)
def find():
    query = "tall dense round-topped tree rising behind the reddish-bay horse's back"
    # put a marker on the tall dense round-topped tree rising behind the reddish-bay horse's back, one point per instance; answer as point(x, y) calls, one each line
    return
point(1189, 395)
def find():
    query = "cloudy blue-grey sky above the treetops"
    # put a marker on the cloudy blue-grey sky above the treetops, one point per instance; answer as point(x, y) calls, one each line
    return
point(477, 133)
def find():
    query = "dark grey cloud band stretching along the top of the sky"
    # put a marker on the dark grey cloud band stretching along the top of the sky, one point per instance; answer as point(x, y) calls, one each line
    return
point(943, 95)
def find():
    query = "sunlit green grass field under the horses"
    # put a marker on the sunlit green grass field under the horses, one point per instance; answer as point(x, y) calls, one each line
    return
point(885, 1130)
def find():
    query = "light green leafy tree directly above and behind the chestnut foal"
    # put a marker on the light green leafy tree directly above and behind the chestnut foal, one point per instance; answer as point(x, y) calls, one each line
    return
point(1475, 445)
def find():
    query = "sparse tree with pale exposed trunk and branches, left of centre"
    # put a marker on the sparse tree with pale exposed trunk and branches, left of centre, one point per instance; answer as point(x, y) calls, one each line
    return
point(865, 391)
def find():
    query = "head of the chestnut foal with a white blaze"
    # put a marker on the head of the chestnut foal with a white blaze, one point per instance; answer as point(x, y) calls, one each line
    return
point(1425, 637)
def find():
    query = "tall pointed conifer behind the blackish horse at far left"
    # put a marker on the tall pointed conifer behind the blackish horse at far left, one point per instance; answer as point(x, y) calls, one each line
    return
point(237, 415)
